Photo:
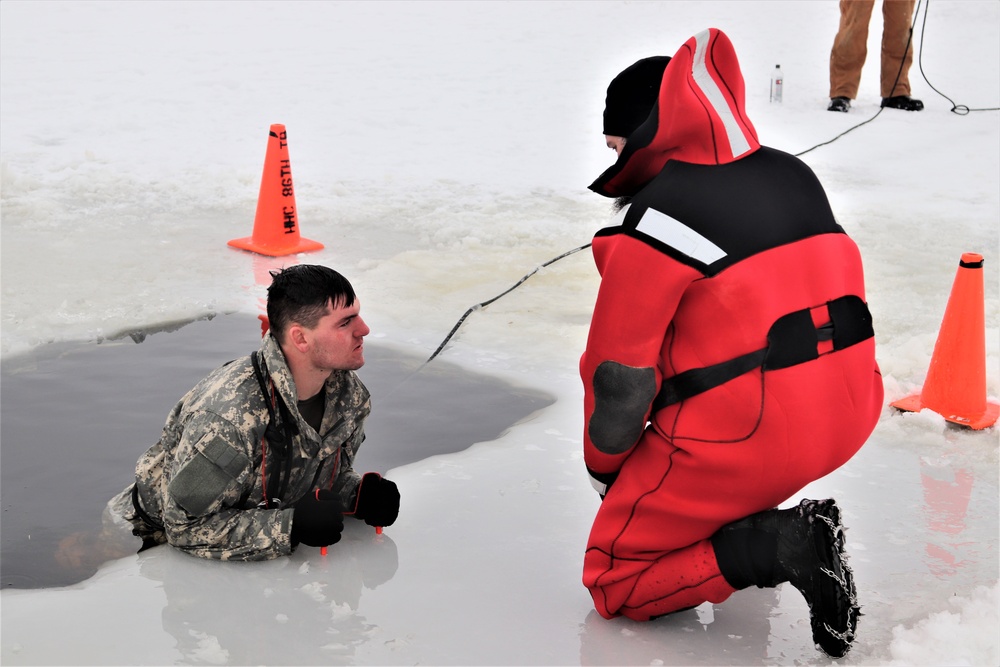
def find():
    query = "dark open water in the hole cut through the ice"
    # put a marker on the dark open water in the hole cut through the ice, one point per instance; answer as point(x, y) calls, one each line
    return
point(75, 417)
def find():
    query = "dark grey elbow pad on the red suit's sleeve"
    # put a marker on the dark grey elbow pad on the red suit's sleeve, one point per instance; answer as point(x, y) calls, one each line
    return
point(622, 396)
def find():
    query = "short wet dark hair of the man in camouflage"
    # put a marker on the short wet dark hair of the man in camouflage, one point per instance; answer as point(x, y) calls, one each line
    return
point(301, 293)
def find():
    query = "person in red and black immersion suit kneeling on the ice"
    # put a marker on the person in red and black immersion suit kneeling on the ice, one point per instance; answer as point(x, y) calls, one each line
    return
point(730, 360)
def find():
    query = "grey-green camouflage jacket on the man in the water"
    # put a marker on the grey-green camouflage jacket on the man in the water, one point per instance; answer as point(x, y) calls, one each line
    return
point(203, 480)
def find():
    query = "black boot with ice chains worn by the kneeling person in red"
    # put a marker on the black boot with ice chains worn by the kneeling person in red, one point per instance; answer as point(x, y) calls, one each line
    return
point(804, 546)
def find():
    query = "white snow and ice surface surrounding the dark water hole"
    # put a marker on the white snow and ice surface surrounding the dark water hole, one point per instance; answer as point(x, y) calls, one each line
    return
point(441, 151)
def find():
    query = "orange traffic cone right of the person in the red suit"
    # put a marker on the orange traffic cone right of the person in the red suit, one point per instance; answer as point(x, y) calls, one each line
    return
point(955, 387)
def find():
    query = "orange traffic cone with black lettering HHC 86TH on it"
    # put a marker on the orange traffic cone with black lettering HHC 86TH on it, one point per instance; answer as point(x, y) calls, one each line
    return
point(276, 226)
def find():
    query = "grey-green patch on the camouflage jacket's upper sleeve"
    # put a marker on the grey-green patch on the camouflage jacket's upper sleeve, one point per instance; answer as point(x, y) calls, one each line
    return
point(207, 477)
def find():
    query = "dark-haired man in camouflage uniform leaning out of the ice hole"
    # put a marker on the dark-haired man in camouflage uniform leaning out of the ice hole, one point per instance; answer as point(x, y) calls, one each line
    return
point(257, 457)
